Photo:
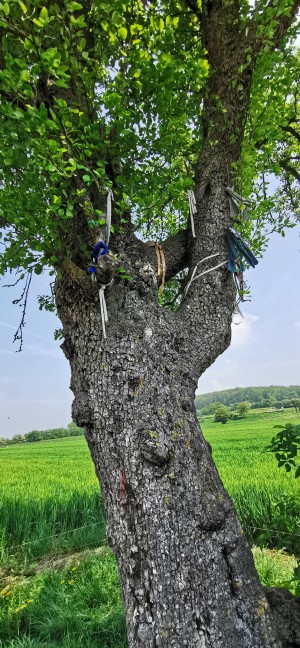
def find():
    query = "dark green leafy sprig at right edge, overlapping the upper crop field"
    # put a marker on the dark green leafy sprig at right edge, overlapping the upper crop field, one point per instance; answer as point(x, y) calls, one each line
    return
point(285, 446)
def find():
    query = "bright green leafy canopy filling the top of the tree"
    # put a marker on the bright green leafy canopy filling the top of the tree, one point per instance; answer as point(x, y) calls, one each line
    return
point(101, 94)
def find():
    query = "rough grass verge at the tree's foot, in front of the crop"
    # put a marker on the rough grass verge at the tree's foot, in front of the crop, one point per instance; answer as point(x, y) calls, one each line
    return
point(79, 602)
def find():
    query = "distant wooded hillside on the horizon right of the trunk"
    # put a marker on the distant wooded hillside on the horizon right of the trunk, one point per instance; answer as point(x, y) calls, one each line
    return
point(273, 396)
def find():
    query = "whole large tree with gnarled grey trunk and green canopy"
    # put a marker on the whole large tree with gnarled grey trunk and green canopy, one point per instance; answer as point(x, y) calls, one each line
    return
point(147, 100)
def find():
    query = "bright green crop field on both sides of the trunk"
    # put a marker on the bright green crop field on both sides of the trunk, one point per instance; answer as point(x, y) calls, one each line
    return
point(50, 500)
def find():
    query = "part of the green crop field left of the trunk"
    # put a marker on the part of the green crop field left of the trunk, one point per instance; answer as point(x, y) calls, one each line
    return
point(50, 499)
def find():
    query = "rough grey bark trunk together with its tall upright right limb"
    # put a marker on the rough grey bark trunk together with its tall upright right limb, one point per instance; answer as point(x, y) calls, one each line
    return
point(187, 573)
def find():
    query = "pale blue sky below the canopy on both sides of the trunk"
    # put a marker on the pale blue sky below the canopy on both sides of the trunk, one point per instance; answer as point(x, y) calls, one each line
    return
point(265, 349)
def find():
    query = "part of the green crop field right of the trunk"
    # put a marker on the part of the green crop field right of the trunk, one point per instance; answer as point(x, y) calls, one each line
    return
point(267, 498)
